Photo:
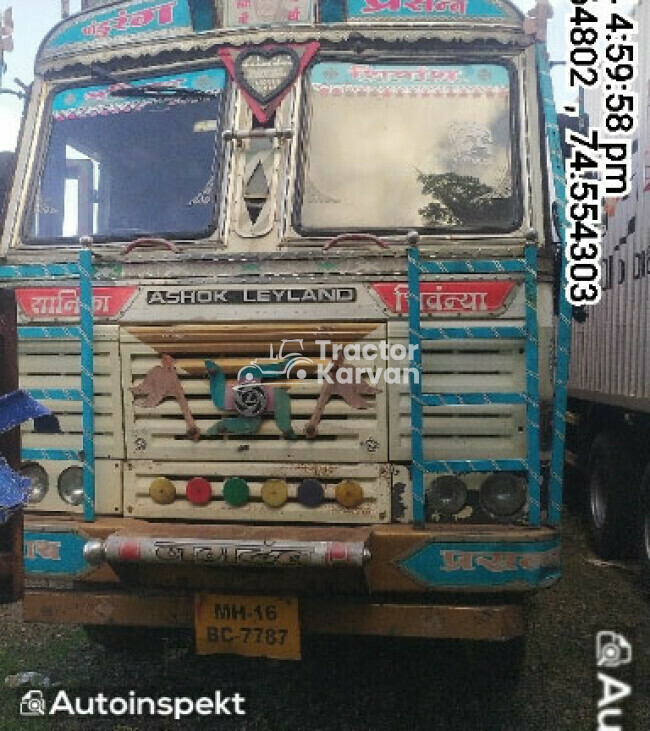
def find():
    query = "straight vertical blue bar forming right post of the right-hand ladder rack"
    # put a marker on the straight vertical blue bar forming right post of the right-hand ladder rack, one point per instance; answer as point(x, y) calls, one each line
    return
point(532, 387)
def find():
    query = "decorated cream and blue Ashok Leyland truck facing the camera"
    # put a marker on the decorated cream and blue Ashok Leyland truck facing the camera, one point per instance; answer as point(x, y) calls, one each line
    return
point(284, 279)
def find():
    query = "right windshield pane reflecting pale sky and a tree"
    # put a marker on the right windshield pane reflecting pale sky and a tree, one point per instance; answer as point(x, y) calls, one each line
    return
point(408, 146)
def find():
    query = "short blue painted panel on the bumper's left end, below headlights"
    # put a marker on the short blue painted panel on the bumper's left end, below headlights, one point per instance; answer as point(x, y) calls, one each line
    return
point(55, 553)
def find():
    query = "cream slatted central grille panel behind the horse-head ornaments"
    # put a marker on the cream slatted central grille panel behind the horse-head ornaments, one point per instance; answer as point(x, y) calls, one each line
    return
point(345, 434)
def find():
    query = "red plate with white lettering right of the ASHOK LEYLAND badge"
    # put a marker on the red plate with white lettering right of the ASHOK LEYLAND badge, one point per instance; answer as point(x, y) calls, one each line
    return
point(445, 297)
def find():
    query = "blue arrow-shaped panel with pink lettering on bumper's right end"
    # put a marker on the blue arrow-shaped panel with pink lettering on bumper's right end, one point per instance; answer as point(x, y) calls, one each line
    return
point(484, 564)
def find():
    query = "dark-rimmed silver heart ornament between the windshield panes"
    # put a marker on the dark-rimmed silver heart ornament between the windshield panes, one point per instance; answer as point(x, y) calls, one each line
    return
point(266, 73)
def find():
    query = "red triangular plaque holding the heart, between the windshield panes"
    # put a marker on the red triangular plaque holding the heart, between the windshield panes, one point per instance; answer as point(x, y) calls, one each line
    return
point(266, 73)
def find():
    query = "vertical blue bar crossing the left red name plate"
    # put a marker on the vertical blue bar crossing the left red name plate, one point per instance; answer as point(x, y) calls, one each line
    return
point(87, 385)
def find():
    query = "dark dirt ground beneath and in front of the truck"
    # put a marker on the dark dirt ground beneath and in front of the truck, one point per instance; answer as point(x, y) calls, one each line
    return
point(353, 685)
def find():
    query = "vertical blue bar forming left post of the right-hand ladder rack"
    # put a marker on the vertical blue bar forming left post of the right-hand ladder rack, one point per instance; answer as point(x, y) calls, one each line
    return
point(415, 381)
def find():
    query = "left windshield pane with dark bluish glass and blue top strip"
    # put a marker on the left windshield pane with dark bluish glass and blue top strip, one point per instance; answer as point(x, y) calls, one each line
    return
point(133, 163)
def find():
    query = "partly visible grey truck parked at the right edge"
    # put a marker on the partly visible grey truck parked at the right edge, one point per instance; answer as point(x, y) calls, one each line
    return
point(609, 396)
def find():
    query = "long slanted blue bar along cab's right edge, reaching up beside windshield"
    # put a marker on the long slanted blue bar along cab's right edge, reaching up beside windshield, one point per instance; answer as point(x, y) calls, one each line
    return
point(563, 336)
